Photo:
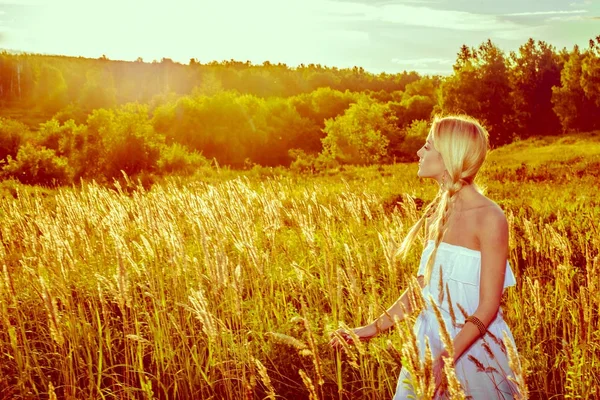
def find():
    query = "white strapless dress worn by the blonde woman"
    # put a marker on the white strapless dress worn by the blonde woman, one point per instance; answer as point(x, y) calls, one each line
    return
point(460, 267)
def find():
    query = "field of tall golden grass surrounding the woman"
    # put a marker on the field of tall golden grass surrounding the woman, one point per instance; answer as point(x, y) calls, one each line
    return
point(229, 287)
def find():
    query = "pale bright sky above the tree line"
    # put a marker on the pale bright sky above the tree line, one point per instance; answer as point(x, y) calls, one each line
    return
point(380, 36)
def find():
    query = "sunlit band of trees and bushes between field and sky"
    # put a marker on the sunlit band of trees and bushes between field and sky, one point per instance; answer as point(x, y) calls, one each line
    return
point(101, 117)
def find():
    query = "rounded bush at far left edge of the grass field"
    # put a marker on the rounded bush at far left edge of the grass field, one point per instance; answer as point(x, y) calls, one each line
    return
point(38, 166)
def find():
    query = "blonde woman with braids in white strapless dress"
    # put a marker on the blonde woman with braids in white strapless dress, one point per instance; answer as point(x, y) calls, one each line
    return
point(463, 271)
